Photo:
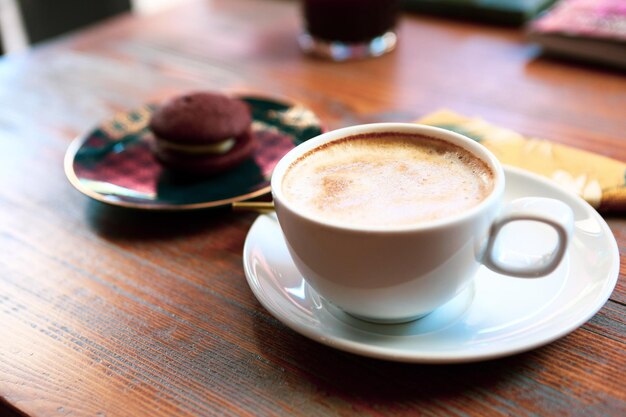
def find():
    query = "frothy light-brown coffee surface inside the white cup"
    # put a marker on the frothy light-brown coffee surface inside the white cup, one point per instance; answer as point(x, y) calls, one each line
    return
point(386, 179)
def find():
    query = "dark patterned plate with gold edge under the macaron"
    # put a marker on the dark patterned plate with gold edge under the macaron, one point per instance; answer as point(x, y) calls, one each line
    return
point(113, 163)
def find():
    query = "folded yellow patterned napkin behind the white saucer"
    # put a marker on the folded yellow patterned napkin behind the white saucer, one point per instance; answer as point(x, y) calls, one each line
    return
point(597, 179)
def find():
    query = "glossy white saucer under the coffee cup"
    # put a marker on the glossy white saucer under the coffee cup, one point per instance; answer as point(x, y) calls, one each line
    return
point(495, 317)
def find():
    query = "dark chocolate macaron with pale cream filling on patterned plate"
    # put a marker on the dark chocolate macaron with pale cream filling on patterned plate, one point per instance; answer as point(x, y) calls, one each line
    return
point(202, 133)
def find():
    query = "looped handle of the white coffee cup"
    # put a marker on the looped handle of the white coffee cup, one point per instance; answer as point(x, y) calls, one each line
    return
point(552, 212)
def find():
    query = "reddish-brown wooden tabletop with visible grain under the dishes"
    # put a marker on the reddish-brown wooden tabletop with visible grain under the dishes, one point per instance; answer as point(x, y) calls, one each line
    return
point(109, 312)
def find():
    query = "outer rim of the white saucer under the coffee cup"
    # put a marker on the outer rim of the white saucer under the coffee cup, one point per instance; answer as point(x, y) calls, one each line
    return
point(434, 357)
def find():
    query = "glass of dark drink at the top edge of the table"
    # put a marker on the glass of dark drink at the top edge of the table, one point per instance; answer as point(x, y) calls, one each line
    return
point(348, 29)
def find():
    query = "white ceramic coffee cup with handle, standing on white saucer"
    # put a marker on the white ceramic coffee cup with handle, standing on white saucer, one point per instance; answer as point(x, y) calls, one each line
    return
point(399, 273)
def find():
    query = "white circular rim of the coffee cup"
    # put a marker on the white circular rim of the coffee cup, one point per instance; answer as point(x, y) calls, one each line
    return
point(455, 138)
